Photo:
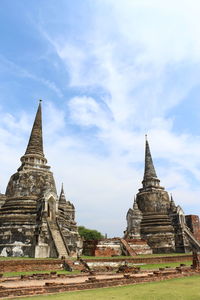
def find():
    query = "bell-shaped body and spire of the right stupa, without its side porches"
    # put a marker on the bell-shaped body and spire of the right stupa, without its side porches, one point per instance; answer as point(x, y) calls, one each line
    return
point(154, 203)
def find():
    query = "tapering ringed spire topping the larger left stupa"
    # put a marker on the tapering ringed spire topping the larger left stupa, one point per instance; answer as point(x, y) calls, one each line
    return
point(35, 144)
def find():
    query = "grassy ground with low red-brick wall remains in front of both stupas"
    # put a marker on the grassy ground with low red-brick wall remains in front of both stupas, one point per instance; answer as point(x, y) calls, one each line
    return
point(143, 277)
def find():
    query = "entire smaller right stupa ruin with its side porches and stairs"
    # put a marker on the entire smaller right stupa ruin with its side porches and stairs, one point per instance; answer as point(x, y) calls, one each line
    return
point(156, 219)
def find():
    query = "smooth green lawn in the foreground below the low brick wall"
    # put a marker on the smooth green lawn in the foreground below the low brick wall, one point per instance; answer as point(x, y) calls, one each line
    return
point(176, 289)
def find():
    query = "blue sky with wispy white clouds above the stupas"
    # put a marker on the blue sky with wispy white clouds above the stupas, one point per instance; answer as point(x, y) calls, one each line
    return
point(108, 72)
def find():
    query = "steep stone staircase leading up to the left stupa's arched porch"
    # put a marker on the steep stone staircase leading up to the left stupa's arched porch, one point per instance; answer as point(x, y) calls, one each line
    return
point(58, 240)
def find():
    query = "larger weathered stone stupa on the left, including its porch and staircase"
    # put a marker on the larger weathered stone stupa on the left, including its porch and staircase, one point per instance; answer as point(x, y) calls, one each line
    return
point(34, 221)
